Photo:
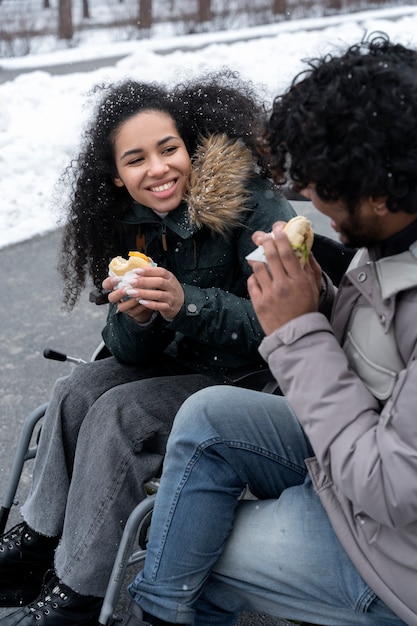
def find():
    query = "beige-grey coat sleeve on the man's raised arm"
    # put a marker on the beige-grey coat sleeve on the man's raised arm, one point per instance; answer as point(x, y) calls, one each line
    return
point(368, 452)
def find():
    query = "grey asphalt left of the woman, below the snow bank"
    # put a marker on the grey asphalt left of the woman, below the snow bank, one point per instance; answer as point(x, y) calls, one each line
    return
point(30, 321)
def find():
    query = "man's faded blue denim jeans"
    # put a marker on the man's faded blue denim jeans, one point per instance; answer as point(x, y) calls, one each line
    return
point(212, 555)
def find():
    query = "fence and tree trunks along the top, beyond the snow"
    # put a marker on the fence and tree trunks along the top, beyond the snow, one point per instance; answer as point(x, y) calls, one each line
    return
point(23, 23)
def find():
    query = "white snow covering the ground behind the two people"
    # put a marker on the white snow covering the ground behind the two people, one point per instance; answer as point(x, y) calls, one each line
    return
point(42, 115)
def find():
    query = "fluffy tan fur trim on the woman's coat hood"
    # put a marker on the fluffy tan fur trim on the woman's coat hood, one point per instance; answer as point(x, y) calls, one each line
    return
point(217, 193)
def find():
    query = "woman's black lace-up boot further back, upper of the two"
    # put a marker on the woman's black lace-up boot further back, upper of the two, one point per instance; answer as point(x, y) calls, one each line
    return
point(25, 556)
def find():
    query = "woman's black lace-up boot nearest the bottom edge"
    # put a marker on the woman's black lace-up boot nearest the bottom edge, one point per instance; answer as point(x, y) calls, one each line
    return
point(57, 605)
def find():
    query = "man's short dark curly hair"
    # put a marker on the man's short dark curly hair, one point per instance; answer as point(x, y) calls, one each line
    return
point(348, 124)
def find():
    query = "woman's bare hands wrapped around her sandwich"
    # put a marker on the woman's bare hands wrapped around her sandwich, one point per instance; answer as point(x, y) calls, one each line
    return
point(154, 289)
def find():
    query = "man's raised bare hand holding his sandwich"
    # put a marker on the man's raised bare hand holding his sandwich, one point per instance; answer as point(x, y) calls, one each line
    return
point(281, 289)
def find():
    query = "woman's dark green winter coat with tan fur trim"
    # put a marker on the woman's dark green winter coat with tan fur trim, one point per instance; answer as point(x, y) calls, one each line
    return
point(204, 243)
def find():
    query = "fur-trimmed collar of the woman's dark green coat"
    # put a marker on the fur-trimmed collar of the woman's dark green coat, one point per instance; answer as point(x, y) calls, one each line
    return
point(217, 192)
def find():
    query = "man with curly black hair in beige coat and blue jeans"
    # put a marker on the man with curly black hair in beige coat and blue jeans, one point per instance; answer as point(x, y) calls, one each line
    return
point(332, 537)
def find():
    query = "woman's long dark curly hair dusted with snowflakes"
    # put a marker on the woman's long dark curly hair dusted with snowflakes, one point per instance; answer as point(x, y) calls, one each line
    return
point(219, 102)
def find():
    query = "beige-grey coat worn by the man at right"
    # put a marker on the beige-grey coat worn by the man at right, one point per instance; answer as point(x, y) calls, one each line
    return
point(358, 405)
